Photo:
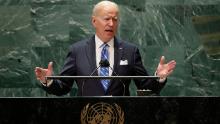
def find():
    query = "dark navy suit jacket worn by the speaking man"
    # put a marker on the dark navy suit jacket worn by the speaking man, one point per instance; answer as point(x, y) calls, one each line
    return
point(81, 61)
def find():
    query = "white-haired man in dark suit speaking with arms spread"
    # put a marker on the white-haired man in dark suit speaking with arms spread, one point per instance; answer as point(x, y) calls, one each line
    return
point(84, 57)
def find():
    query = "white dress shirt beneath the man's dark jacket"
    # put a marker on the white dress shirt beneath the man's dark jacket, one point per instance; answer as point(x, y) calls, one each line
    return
point(99, 46)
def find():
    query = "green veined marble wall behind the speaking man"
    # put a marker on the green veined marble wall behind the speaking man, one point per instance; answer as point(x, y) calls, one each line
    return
point(34, 32)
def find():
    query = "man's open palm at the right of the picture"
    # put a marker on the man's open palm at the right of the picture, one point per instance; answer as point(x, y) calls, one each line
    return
point(164, 70)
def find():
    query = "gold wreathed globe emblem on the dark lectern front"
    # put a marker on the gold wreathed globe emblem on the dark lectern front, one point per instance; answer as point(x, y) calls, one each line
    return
point(102, 113)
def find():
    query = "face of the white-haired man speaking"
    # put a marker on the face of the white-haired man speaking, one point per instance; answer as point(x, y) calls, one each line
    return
point(106, 23)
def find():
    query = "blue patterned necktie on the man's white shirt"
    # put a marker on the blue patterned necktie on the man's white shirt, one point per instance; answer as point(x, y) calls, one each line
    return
point(104, 71)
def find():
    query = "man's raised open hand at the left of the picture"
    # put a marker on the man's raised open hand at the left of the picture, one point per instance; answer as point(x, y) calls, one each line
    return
point(41, 73)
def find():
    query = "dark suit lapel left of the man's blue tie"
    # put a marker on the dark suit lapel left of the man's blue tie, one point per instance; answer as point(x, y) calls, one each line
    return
point(90, 52)
